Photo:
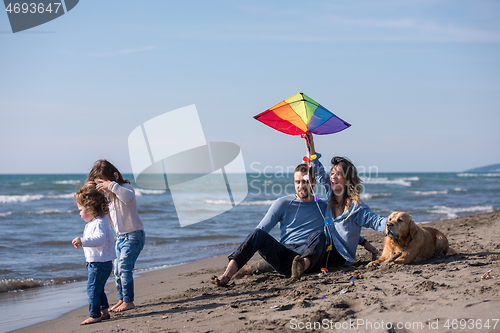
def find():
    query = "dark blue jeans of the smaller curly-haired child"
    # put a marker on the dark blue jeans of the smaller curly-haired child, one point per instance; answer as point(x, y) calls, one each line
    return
point(98, 275)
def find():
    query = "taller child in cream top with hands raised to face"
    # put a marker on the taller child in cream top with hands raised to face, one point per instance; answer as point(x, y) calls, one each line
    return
point(127, 225)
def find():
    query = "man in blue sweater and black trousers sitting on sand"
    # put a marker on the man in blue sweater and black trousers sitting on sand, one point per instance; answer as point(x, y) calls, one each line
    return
point(302, 242)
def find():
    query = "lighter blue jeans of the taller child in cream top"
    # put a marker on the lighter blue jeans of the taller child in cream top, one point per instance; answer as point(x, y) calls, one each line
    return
point(128, 248)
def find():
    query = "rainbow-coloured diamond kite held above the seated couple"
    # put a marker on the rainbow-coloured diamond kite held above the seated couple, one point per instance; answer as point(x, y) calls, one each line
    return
point(300, 114)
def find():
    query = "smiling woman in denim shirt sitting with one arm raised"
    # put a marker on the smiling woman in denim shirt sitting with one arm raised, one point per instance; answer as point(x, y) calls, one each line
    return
point(346, 213)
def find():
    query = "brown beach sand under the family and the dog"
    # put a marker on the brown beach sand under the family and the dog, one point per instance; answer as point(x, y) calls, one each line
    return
point(424, 297)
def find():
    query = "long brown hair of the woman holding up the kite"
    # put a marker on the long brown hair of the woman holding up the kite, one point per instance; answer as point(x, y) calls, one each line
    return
point(354, 184)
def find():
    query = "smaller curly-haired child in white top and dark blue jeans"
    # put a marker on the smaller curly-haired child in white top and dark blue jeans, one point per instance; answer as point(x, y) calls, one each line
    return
point(97, 243)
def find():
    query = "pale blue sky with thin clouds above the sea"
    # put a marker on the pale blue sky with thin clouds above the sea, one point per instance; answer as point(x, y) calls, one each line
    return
point(418, 80)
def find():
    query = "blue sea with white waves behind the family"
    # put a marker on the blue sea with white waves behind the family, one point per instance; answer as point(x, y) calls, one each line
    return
point(42, 275)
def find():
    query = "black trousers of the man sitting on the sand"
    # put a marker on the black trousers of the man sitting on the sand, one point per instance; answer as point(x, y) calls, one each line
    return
point(278, 255)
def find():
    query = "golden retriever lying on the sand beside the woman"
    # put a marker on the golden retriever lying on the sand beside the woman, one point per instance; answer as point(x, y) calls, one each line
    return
point(407, 242)
